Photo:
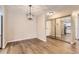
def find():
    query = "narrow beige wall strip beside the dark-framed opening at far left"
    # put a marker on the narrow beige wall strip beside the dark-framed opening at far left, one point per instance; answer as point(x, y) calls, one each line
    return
point(4, 11)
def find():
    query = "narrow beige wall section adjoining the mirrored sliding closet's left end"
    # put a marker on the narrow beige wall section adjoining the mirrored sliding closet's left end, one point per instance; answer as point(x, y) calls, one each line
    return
point(41, 29)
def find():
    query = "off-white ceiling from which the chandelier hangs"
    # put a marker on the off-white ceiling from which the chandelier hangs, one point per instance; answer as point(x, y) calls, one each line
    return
point(42, 9)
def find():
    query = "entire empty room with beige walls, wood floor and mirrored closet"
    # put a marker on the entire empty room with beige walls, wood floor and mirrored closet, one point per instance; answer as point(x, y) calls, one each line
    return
point(39, 29)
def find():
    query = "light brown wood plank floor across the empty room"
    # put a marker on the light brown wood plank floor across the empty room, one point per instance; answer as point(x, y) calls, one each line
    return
point(37, 46)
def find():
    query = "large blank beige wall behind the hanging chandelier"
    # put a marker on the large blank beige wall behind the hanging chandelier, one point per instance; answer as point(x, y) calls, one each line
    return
point(18, 26)
